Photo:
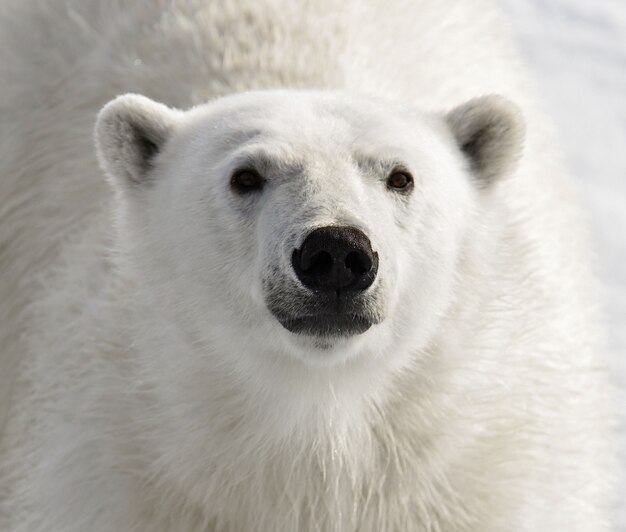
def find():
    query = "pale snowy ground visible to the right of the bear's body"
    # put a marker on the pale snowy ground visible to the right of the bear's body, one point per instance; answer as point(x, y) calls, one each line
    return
point(577, 50)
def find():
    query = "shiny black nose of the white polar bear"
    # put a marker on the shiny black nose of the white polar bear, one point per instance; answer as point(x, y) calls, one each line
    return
point(338, 259)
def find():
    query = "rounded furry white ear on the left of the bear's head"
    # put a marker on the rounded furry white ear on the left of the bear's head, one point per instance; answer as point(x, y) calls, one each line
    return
point(130, 132)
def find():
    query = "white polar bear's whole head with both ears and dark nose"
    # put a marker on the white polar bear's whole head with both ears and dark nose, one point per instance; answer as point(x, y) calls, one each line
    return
point(316, 225)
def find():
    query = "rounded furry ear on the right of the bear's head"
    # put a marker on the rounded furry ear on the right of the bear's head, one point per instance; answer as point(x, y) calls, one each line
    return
point(490, 132)
